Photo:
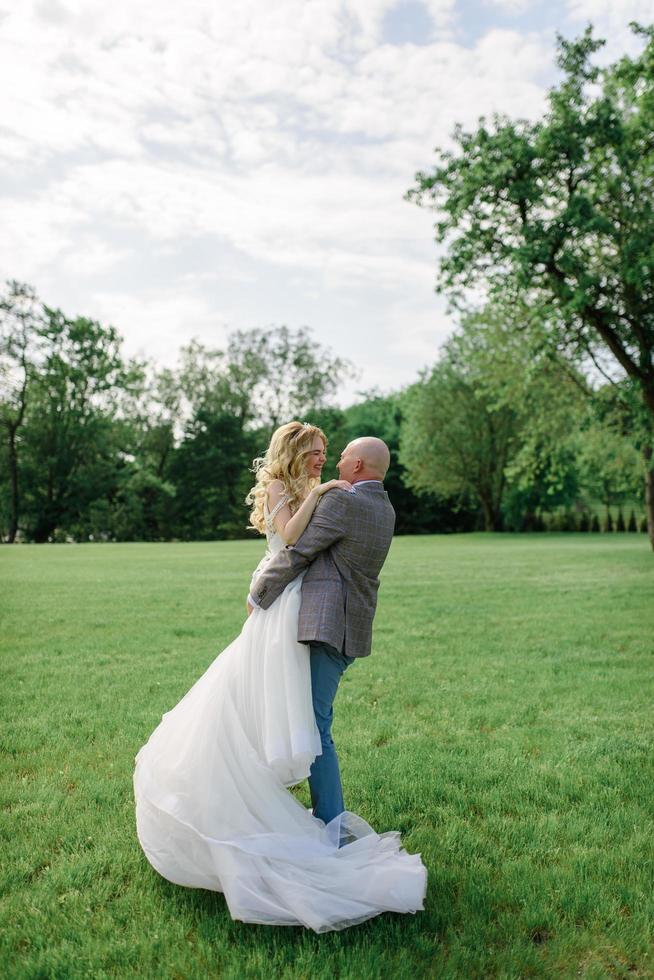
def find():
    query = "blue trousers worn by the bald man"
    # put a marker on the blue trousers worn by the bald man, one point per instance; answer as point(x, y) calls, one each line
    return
point(327, 668)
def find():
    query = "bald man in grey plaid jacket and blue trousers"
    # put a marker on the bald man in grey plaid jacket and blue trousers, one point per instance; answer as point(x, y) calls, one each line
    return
point(344, 547)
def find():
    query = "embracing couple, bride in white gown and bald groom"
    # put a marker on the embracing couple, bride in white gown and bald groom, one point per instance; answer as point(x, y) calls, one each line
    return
point(213, 808)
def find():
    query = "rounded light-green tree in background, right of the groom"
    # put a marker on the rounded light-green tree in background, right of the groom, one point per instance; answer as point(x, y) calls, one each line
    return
point(495, 412)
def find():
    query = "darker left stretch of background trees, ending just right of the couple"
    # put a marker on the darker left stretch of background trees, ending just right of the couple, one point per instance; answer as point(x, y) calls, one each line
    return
point(95, 446)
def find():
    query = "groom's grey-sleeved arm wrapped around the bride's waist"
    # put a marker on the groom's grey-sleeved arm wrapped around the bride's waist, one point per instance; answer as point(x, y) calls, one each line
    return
point(327, 526)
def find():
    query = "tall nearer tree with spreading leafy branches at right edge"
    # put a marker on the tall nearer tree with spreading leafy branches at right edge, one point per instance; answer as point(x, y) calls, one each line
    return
point(561, 212)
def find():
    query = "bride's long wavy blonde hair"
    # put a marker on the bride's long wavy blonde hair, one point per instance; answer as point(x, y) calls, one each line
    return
point(285, 460)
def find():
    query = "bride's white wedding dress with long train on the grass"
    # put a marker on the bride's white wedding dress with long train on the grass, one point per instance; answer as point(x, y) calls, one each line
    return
point(212, 808)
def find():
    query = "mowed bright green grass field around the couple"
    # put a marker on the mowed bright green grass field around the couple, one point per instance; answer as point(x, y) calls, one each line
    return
point(503, 724)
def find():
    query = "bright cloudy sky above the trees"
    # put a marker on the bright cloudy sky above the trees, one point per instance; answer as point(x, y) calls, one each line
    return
point(180, 169)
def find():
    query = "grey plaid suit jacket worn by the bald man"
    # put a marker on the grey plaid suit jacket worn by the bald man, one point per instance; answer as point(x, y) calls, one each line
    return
point(344, 546)
